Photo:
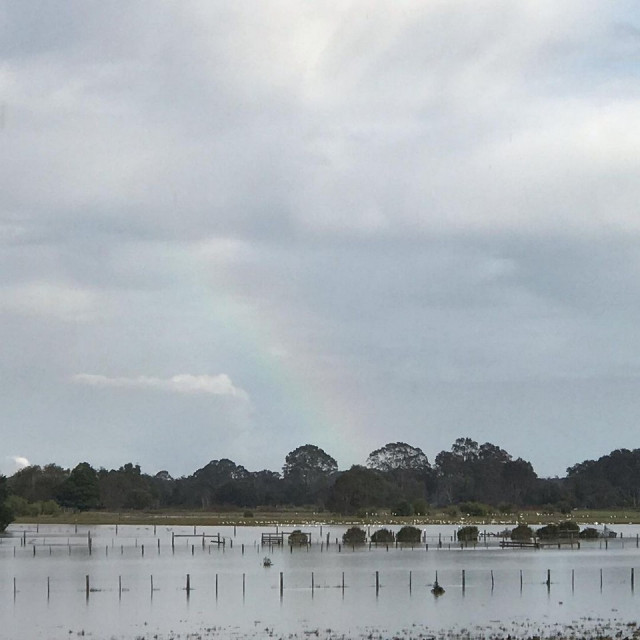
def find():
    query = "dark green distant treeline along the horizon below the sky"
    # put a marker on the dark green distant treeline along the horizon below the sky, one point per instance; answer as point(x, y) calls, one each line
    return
point(397, 478)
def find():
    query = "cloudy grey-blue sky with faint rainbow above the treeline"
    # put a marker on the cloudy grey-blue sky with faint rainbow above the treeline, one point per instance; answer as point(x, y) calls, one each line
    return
point(228, 229)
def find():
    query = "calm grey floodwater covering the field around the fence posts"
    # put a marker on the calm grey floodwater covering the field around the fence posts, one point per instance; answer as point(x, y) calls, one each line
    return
point(137, 585)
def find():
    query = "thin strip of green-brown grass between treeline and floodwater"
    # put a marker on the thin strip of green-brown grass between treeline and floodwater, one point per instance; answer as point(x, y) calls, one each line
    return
point(304, 516)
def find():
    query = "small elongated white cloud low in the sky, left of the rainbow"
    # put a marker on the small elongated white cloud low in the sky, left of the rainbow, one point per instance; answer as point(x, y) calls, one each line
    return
point(219, 385)
